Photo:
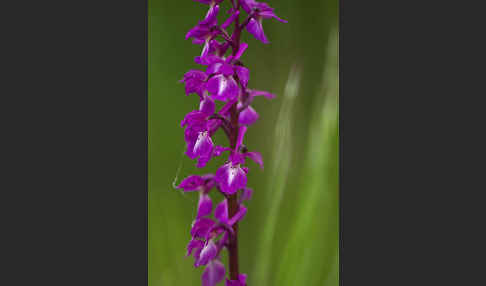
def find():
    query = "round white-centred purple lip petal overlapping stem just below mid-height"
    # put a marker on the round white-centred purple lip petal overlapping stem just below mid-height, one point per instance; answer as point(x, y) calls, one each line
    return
point(231, 178)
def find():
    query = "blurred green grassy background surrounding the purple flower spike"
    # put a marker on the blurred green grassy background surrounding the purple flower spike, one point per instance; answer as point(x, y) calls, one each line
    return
point(290, 233)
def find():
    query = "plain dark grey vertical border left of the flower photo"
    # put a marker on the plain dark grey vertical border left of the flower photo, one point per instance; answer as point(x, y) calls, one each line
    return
point(75, 187)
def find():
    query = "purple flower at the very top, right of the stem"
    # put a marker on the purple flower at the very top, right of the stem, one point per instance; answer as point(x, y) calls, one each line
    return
point(260, 11)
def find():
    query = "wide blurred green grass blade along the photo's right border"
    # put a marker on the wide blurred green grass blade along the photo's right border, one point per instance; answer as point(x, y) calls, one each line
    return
point(311, 255)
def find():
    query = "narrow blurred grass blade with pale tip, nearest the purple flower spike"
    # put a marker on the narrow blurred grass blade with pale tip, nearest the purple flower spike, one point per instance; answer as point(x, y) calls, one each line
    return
point(282, 158)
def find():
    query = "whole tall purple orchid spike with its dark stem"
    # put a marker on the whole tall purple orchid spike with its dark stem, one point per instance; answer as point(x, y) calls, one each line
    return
point(224, 78)
